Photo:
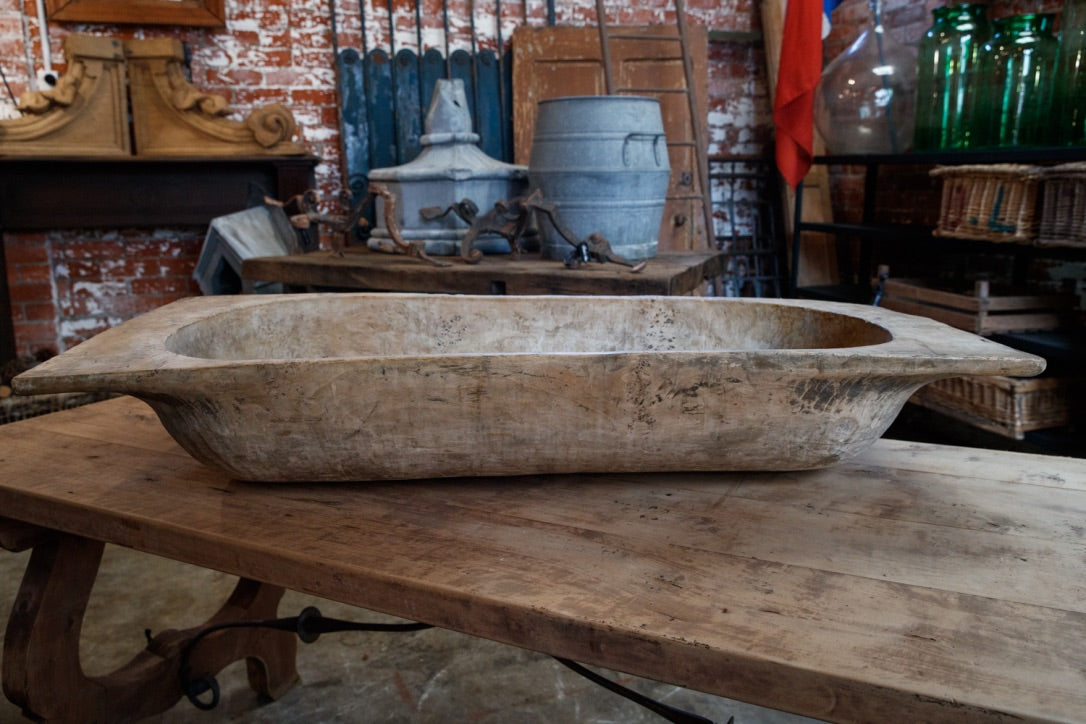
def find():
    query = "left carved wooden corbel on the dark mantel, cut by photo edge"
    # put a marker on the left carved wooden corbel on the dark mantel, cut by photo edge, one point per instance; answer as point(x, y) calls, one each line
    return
point(86, 115)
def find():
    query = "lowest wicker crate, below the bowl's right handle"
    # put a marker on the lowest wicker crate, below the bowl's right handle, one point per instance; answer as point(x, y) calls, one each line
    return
point(1006, 405)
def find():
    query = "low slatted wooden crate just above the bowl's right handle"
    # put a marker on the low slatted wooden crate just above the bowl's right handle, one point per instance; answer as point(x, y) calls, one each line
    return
point(981, 312)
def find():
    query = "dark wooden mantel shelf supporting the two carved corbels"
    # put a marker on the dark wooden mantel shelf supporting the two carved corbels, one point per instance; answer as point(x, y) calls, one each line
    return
point(41, 194)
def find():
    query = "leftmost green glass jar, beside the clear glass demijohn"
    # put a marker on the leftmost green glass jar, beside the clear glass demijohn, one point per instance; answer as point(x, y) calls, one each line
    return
point(949, 75)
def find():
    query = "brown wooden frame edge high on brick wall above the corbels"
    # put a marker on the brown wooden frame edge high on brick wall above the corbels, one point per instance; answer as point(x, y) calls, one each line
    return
point(204, 14)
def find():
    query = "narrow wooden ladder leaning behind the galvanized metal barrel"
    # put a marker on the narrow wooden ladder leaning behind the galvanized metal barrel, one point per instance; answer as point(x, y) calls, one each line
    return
point(698, 121)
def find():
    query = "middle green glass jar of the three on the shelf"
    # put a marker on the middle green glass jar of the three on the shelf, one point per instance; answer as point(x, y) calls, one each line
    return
point(1020, 69)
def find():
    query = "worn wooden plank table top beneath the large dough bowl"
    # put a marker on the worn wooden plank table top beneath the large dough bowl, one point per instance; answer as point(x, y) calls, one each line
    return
point(917, 583)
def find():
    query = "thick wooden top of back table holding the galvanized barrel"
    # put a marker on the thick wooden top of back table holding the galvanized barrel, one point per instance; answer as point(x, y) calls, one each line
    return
point(359, 269)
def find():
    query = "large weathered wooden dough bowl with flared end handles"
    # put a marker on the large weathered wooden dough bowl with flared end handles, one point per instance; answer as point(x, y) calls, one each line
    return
point(365, 387)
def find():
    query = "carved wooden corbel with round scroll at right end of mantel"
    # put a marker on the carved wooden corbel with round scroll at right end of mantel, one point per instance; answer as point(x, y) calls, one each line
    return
point(172, 118)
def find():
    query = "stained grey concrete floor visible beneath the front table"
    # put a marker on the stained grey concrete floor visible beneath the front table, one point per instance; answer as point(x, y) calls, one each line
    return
point(431, 676)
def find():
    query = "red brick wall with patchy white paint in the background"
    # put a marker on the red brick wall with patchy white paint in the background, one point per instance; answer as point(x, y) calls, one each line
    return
point(68, 285)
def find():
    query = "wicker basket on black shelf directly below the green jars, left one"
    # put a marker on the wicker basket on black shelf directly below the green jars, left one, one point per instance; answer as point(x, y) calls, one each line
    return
point(996, 202)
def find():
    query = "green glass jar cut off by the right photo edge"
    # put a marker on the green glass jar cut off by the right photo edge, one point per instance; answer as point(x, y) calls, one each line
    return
point(1071, 75)
